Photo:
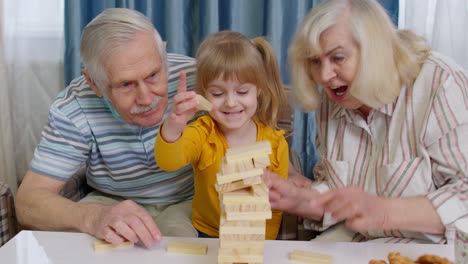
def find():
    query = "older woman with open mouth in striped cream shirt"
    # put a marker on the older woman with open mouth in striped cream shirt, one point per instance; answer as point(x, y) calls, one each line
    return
point(392, 129)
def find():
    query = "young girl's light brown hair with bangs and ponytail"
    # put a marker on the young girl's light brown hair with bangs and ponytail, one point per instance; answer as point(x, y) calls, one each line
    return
point(231, 55)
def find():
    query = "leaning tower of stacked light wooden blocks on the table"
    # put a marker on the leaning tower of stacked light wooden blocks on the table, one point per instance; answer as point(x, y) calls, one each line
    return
point(244, 204)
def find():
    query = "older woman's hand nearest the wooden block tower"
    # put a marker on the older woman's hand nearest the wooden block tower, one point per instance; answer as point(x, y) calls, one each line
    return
point(289, 196)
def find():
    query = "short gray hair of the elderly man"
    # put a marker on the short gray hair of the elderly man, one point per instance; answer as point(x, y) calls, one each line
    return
point(114, 28)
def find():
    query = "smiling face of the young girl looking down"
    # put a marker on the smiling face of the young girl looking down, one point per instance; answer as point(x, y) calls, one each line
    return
point(234, 103)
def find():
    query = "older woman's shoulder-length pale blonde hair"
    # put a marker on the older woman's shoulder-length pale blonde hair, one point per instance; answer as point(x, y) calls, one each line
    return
point(388, 59)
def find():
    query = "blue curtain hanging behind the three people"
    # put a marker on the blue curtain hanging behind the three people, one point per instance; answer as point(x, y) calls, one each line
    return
point(185, 23)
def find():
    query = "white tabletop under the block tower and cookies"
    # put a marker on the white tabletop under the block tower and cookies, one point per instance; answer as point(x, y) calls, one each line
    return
point(38, 247)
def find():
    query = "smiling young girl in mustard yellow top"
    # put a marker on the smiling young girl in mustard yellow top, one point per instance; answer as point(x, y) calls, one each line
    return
point(240, 78)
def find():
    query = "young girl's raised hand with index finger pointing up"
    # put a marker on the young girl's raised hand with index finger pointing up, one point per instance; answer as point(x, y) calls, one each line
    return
point(184, 108)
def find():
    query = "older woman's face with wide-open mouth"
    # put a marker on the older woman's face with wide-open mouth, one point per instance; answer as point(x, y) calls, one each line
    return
point(335, 68)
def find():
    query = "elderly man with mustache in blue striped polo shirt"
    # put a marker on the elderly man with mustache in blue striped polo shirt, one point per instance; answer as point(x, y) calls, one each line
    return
point(106, 121)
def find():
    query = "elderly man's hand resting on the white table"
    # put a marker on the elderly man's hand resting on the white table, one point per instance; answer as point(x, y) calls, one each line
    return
point(125, 221)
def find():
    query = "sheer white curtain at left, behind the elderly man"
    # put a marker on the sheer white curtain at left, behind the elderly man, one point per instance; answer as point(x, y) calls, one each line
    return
point(31, 71)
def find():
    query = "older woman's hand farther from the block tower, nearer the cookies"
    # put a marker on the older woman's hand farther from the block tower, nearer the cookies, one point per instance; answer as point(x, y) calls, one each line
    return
point(361, 211)
